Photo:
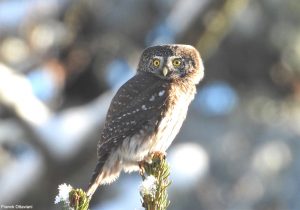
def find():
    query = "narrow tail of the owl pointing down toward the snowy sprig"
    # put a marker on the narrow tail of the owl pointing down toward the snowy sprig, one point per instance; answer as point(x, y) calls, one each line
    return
point(96, 179)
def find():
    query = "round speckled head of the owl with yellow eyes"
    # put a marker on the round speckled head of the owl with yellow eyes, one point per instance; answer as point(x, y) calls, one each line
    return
point(173, 62)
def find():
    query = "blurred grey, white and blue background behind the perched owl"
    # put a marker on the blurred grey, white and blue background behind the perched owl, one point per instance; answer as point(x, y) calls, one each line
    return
point(61, 62)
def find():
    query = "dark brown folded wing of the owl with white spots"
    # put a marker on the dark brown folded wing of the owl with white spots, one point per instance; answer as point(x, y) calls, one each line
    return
point(139, 103)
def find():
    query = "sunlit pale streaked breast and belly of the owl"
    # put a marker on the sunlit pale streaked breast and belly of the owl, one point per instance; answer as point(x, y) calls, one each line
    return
point(173, 118)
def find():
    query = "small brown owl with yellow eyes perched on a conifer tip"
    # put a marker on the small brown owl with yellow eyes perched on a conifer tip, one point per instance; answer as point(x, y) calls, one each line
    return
point(147, 112)
